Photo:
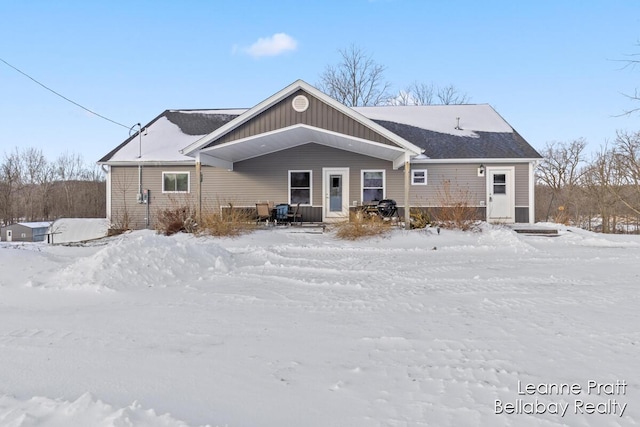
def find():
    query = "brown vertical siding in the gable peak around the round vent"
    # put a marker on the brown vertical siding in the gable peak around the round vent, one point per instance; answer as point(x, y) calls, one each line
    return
point(319, 114)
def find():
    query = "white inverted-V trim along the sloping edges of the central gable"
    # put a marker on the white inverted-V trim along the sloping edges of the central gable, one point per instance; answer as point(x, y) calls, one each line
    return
point(272, 100)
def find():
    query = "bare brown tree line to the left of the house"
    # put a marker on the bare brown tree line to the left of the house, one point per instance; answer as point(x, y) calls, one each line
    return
point(33, 188)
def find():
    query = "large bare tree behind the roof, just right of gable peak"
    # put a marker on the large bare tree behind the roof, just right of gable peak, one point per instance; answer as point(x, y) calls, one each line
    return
point(357, 80)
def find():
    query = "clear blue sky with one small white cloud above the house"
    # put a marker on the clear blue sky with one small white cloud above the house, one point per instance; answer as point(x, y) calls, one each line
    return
point(547, 66)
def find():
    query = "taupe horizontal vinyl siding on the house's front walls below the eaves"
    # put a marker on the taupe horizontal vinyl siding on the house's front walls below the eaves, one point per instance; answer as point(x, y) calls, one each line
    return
point(266, 179)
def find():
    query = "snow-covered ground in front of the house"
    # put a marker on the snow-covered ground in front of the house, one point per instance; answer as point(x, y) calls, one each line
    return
point(277, 328)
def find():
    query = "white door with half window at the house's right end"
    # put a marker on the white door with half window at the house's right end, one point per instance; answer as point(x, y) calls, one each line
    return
point(500, 194)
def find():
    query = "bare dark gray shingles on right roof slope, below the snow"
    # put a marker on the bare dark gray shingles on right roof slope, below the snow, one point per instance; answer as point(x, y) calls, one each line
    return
point(489, 145)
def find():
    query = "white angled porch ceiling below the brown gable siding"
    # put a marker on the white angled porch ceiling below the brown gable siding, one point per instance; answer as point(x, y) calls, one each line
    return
point(282, 139)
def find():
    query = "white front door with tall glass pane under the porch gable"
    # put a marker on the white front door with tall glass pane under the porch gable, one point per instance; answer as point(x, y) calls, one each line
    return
point(335, 190)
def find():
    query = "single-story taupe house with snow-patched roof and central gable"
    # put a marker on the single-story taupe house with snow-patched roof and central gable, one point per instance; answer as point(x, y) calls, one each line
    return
point(301, 146)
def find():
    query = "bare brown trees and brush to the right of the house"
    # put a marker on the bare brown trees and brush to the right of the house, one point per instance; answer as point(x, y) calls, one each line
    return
point(598, 192)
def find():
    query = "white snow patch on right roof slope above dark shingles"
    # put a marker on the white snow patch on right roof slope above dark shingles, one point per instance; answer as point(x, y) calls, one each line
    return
point(442, 118)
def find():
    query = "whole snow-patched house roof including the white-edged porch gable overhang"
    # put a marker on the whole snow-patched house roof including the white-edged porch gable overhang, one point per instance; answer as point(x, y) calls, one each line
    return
point(439, 131)
